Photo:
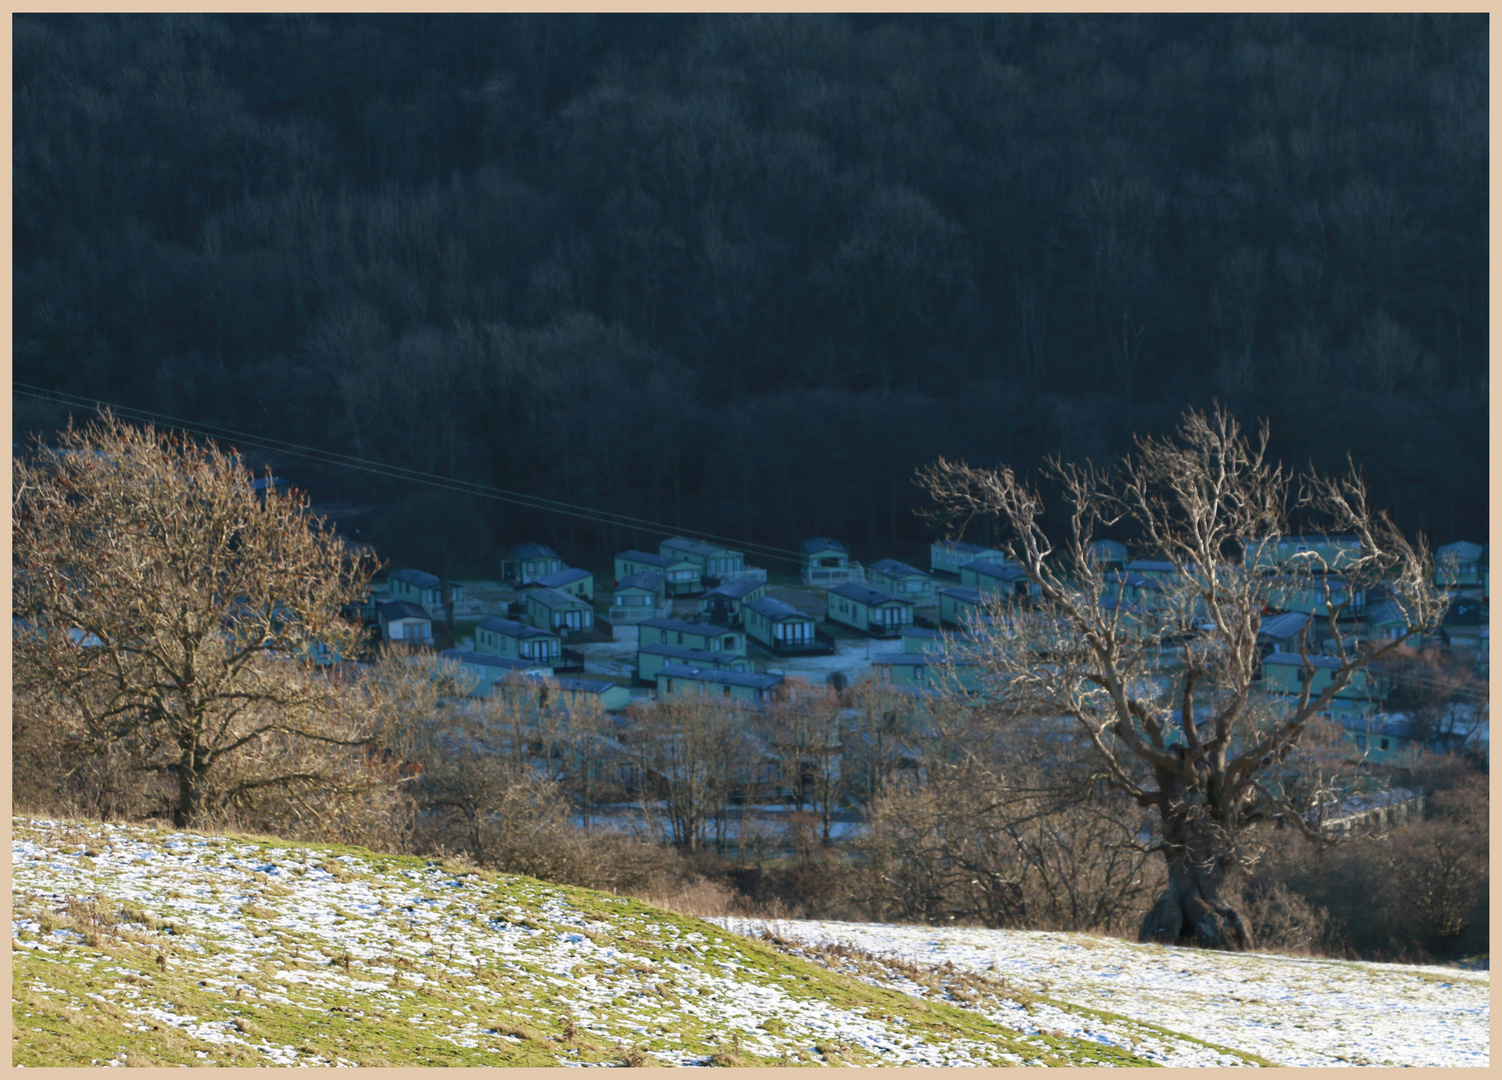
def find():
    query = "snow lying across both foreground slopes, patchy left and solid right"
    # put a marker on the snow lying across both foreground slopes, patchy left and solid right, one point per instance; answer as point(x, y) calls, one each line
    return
point(271, 923)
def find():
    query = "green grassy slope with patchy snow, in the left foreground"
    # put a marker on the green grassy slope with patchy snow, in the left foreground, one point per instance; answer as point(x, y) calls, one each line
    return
point(163, 949)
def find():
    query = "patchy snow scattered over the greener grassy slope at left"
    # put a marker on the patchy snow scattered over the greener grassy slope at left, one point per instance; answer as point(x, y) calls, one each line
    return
point(283, 926)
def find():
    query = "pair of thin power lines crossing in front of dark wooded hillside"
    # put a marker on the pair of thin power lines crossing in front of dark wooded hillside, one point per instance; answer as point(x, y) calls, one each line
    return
point(402, 472)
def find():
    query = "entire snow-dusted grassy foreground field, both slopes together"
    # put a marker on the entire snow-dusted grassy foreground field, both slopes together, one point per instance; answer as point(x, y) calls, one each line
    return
point(134, 946)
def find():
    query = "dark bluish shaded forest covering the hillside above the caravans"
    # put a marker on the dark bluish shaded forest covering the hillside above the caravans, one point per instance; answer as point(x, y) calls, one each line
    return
point(744, 274)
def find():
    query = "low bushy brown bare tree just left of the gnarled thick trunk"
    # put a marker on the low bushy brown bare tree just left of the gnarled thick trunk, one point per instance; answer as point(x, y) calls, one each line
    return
point(1006, 825)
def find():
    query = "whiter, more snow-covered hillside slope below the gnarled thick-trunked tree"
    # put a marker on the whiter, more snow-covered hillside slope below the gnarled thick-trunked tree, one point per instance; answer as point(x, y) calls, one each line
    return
point(1285, 1010)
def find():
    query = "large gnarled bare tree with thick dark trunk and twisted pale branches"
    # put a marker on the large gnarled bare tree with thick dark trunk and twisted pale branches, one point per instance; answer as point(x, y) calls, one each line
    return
point(1165, 683)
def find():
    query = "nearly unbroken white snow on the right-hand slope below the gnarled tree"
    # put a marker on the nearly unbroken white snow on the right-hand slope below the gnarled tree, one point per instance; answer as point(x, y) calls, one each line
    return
point(1289, 1010)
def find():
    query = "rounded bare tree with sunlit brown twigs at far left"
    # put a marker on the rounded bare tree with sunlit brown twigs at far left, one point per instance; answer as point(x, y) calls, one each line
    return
point(170, 611)
